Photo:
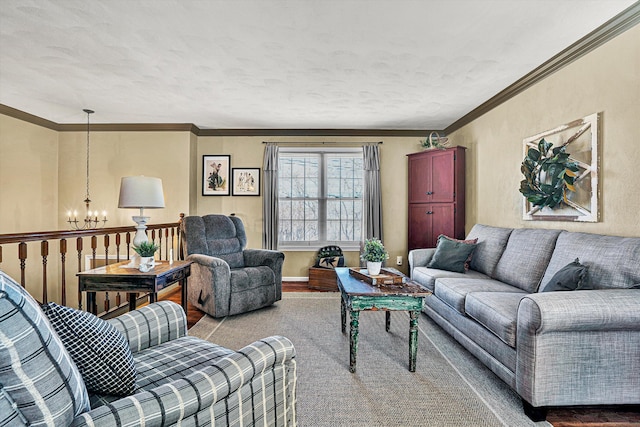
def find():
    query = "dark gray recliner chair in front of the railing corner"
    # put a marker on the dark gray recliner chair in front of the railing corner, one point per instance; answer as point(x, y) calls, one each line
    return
point(226, 278)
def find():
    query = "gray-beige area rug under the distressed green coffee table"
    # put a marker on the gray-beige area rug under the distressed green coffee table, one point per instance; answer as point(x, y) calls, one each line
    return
point(449, 388)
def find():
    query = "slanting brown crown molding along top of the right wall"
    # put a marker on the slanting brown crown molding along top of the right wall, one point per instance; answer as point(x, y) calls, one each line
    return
point(625, 20)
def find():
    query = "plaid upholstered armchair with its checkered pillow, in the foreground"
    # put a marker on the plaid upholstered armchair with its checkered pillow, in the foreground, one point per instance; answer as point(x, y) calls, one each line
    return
point(60, 366)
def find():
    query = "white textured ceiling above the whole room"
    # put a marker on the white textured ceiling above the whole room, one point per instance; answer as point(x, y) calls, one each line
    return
point(271, 64)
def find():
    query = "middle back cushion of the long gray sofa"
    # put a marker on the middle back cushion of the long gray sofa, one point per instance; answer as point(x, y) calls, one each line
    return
point(526, 257)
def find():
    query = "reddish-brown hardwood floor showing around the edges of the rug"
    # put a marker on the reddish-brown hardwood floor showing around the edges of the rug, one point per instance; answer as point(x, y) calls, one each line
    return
point(566, 417)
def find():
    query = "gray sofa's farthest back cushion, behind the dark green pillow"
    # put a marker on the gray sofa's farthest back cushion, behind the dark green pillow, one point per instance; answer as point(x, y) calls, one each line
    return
point(491, 244)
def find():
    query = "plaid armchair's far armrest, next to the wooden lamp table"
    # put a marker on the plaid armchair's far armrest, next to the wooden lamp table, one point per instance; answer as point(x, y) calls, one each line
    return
point(151, 325)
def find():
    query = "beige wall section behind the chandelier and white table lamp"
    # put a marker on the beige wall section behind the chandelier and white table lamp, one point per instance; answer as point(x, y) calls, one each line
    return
point(165, 155)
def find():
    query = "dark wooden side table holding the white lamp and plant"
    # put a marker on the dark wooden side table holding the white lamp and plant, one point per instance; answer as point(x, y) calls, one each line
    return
point(119, 278)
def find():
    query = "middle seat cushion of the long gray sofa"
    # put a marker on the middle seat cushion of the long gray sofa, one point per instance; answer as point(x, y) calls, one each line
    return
point(453, 291)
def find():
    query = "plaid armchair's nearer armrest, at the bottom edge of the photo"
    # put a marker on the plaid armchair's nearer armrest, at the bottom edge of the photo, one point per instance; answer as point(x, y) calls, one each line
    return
point(266, 369)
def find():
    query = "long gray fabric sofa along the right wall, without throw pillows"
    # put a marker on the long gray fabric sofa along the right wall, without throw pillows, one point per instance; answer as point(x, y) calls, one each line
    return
point(562, 348)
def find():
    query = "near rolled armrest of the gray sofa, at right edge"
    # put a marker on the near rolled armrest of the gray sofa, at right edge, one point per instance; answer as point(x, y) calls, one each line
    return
point(579, 348)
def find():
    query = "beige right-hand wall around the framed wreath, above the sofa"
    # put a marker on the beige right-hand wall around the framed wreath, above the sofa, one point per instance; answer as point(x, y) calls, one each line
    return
point(606, 80)
